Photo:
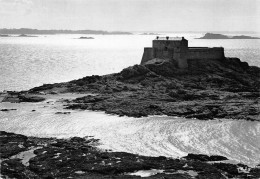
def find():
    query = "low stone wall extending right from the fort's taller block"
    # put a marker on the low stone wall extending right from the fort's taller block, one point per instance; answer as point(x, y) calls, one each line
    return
point(205, 53)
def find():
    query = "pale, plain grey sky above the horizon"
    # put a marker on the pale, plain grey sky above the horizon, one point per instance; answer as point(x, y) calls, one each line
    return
point(132, 15)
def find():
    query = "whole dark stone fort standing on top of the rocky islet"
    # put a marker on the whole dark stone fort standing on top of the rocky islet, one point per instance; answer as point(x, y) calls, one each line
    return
point(176, 49)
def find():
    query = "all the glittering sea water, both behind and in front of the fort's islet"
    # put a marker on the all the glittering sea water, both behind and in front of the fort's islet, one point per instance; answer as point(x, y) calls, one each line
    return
point(26, 62)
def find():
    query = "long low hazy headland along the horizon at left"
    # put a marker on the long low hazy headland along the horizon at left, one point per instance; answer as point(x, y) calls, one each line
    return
point(51, 32)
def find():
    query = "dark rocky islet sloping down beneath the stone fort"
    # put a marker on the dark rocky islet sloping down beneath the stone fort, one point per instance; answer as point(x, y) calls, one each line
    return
point(208, 89)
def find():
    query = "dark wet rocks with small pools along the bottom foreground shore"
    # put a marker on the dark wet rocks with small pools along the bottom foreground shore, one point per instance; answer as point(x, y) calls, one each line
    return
point(30, 157)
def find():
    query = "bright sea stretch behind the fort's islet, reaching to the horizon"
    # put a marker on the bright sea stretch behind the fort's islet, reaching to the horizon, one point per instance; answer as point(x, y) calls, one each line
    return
point(30, 62)
